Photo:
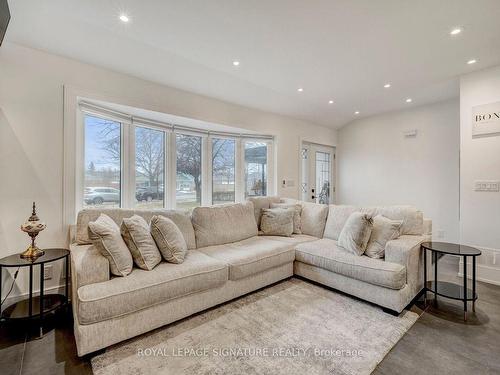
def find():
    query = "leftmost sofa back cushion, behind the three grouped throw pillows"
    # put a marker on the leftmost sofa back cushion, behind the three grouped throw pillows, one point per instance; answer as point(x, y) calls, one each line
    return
point(181, 218)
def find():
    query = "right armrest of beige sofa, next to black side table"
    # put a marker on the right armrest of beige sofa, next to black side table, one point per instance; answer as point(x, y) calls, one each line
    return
point(406, 251)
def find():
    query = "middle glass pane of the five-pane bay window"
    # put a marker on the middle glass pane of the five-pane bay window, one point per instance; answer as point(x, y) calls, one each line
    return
point(188, 179)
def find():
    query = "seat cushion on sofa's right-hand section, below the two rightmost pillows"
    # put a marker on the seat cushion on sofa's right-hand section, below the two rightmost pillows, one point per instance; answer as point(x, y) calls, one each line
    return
point(326, 254)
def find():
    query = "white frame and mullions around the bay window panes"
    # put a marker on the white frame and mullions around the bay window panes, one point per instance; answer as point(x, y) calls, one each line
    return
point(74, 150)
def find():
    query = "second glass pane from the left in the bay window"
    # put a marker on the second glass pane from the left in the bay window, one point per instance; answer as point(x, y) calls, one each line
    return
point(149, 168)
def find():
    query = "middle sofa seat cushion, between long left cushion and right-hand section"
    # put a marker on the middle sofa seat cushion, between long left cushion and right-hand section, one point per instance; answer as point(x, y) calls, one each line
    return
point(251, 256)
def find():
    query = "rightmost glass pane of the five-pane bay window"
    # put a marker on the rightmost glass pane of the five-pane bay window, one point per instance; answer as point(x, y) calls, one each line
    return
point(255, 169)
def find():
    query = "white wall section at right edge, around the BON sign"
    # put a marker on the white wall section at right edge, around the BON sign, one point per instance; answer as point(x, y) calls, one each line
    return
point(480, 160)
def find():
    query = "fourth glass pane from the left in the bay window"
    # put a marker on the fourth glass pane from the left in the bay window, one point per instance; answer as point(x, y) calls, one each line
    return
point(223, 156)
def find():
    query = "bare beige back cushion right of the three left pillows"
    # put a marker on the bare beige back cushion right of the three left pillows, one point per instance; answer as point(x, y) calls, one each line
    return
point(217, 225)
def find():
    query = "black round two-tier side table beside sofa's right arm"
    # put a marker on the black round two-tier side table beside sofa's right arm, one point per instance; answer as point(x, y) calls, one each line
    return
point(447, 289)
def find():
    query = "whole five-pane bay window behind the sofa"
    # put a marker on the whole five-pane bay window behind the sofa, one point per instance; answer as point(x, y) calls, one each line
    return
point(139, 163)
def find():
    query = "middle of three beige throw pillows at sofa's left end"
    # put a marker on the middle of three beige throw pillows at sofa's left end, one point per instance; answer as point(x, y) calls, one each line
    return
point(135, 231)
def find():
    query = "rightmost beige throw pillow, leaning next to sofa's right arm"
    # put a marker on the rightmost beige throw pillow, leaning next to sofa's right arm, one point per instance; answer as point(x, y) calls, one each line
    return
point(384, 230)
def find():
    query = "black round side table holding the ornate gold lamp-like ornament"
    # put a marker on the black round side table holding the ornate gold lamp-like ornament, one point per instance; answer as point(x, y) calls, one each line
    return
point(35, 307)
